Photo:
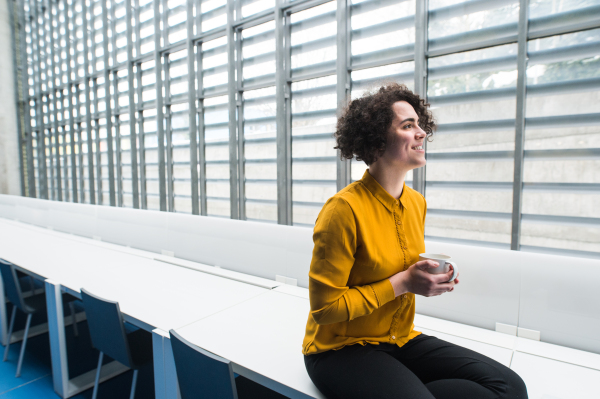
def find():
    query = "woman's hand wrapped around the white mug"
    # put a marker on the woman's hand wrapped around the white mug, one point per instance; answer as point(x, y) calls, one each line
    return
point(417, 280)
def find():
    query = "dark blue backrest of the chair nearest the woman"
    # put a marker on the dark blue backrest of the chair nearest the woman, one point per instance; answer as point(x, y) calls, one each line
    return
point(201, 373)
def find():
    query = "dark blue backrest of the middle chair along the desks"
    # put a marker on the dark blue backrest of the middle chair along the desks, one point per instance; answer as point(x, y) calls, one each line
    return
point(106, 327)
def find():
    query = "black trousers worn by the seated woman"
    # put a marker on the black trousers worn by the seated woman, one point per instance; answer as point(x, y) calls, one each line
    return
point(424, 368)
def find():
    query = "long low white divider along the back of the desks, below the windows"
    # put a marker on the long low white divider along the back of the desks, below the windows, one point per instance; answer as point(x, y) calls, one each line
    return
point(547, 293)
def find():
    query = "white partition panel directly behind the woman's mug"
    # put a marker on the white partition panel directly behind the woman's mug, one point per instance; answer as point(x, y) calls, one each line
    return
point(488, 291)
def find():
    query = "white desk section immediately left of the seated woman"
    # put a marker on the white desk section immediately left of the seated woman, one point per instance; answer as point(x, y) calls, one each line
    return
point(268, 349)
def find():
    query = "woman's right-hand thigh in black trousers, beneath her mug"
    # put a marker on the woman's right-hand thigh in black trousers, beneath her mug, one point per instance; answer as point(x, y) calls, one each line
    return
point(436, 362)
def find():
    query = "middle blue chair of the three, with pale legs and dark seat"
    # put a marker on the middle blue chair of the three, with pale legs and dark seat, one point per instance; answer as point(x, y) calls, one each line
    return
point(109, 337)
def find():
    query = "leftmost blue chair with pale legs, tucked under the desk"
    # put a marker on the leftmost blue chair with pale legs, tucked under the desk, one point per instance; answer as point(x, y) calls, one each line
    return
point(29, 305)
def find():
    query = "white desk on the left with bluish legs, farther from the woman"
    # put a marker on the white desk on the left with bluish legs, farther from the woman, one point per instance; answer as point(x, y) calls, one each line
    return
point(152, 295)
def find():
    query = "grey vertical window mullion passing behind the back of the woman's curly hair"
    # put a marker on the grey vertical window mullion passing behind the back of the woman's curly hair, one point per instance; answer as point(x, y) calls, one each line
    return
point(343, 82)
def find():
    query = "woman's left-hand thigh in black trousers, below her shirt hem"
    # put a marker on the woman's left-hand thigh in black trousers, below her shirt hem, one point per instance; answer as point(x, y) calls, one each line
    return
point(363, 372)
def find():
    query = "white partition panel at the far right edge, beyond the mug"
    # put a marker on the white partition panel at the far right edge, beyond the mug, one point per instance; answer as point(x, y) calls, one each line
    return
point(559, 298)
